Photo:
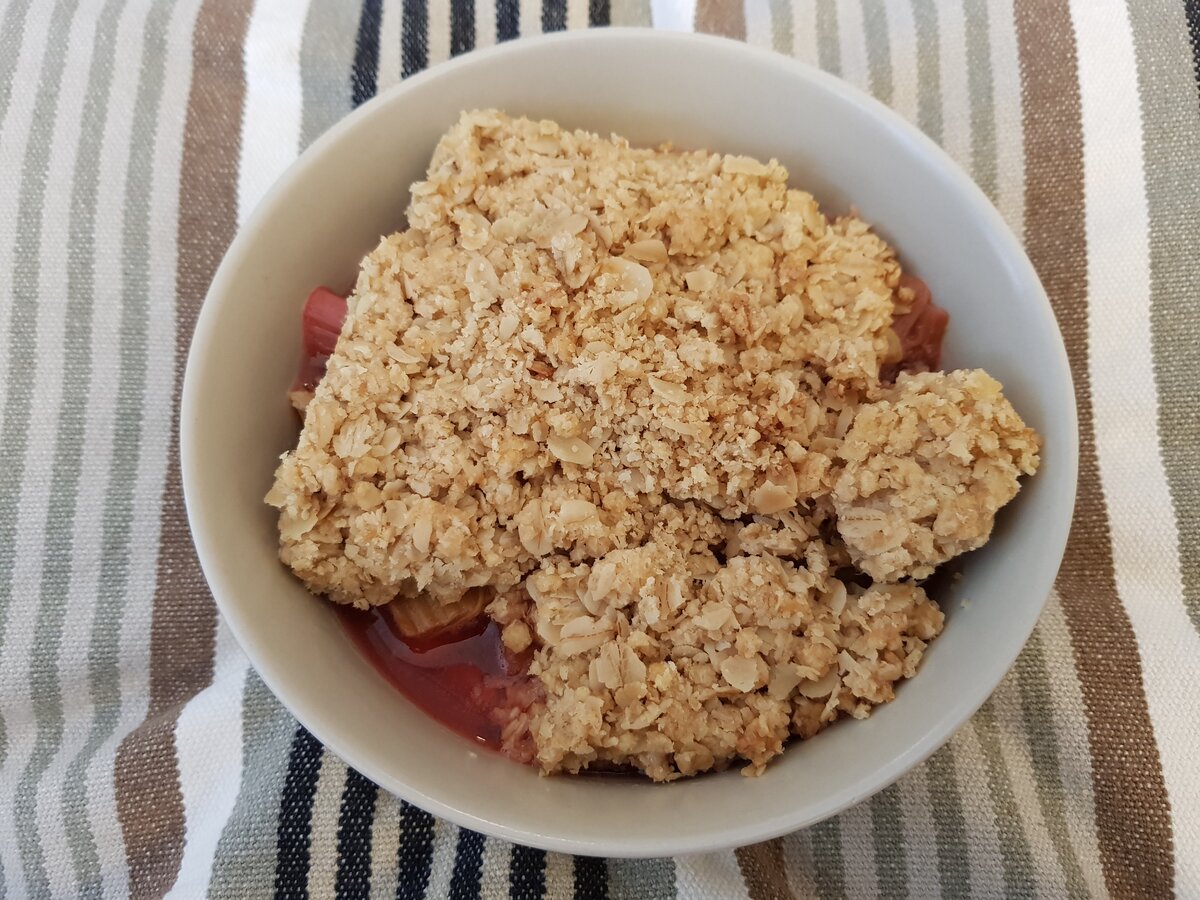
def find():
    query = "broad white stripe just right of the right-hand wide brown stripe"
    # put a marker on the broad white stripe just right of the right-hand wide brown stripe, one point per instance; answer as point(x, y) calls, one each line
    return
point(1145, 538)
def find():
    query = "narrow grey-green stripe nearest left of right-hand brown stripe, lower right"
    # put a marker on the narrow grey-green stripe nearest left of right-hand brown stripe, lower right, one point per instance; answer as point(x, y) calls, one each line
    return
point(1037, 705)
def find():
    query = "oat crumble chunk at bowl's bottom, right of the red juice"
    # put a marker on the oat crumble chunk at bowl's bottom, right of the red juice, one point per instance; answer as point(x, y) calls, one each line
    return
point(676, 663)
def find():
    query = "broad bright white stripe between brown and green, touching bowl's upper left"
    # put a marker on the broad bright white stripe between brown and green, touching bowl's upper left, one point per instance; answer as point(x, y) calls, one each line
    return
point(271, 124)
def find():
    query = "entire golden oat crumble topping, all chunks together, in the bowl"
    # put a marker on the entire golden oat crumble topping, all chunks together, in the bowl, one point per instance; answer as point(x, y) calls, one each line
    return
point(626, 389)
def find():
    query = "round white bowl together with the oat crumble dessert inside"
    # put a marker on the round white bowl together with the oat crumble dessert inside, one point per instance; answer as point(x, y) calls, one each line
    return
point(665, 430)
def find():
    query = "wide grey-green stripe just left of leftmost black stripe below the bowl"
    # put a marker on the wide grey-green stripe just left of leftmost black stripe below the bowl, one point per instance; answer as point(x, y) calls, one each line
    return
point(245, 857)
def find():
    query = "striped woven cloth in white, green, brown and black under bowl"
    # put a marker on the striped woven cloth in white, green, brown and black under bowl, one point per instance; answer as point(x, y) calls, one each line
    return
point(141, 755)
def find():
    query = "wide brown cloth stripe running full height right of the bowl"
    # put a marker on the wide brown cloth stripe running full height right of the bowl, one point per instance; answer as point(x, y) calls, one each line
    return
point(1133, 819)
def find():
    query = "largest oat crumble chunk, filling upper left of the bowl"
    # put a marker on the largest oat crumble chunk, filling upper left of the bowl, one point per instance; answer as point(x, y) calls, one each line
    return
point(571, 335)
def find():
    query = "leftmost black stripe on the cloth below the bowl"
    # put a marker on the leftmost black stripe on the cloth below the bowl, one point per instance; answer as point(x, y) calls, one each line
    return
point(295, 832)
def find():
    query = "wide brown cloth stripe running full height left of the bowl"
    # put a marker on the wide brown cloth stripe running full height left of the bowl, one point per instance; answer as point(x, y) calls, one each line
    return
point(183, 626)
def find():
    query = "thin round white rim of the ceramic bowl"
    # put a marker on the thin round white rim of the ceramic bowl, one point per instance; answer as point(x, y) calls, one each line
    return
point(311, 716)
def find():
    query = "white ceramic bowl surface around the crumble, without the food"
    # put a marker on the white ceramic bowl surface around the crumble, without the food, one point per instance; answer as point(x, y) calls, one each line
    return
point(331, 208)
